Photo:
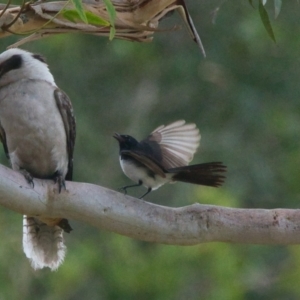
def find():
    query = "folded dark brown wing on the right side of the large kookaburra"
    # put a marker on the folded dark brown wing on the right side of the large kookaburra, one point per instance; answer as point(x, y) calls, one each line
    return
point(65, 108)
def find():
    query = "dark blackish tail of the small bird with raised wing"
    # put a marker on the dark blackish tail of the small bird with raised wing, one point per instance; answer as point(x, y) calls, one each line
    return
point(204, 174)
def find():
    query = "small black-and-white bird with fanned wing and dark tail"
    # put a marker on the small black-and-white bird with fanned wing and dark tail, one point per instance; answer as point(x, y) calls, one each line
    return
point(164, 157)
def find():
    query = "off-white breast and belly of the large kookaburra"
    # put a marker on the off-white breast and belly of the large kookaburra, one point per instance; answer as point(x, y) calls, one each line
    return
point(35, 132)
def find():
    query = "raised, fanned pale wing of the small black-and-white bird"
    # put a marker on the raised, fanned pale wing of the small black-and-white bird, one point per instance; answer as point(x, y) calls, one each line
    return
point(177, 141)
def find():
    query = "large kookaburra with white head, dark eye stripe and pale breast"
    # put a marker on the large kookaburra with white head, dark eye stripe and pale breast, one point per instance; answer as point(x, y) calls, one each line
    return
point(37, 129)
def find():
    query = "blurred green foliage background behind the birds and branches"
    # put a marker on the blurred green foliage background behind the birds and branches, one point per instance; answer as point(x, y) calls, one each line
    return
point(245, 99)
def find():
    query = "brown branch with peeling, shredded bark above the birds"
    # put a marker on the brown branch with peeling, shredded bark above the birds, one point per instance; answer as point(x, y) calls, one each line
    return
point(135, 20)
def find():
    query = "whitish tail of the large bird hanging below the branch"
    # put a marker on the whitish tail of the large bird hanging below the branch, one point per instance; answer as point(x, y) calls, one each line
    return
point(43, 244)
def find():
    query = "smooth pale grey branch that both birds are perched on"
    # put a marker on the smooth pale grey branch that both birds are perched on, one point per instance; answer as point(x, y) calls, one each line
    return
point(110, 210)
